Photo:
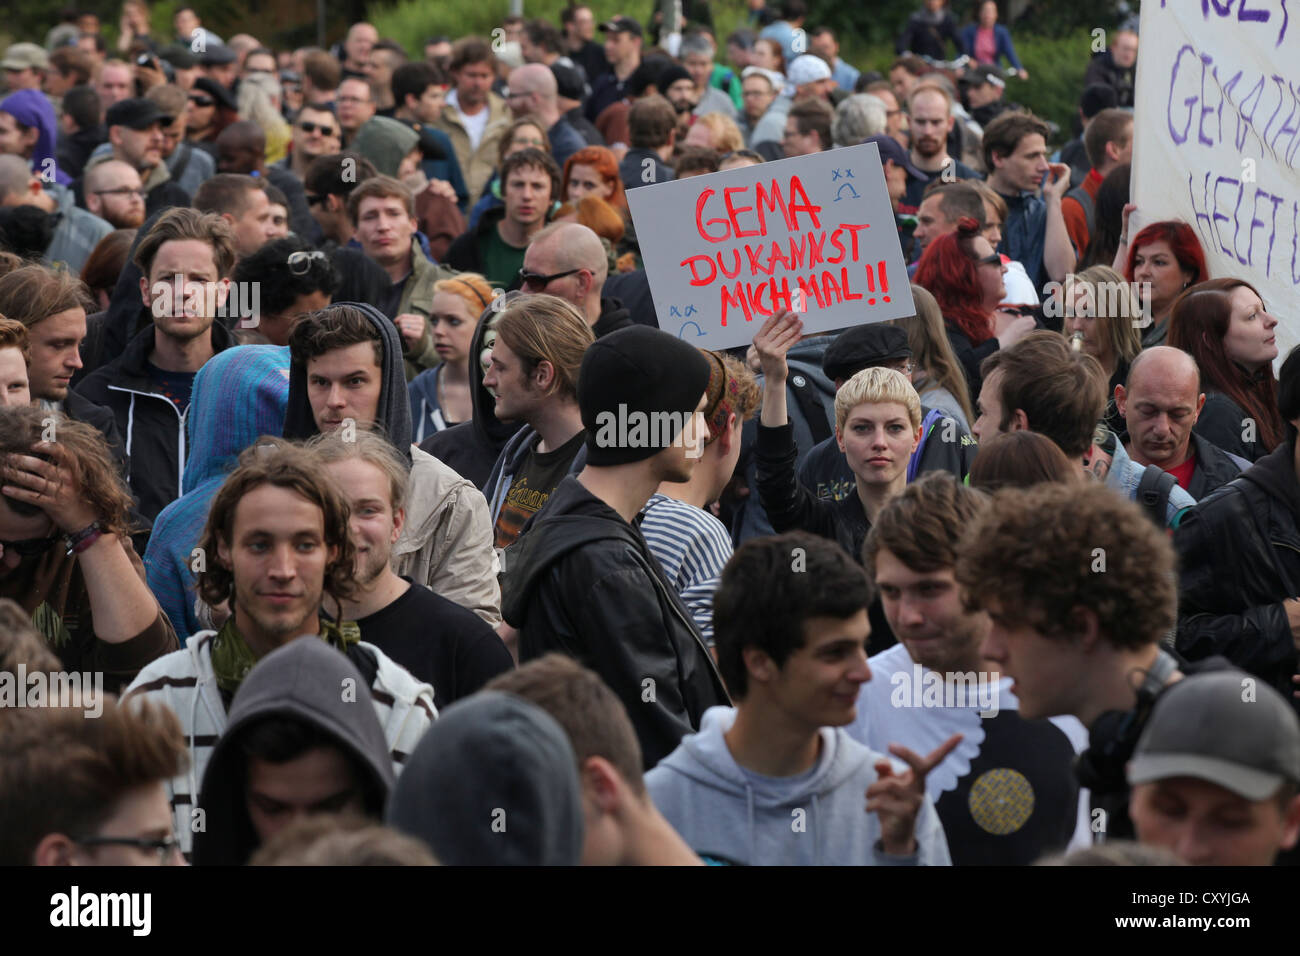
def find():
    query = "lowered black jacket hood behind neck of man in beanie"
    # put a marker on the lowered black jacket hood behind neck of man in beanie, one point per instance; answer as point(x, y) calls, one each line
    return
point(573, 518)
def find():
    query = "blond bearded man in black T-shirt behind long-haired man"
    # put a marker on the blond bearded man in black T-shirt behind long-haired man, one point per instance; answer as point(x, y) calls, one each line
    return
point(437, 641)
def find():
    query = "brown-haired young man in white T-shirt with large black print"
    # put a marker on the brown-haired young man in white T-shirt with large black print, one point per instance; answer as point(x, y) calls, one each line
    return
point(934, 685)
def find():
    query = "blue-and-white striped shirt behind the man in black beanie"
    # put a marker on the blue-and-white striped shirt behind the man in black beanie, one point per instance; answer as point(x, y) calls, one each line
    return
point(694, 547)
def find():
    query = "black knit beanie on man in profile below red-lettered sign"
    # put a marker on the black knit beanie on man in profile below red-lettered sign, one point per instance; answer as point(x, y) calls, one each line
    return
point(627, 379)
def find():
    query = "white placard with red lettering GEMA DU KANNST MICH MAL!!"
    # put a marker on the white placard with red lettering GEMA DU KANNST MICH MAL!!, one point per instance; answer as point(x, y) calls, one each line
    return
point(814, 235)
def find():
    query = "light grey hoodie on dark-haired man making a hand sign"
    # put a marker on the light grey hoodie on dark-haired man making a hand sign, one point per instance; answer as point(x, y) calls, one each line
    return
point(816, 819)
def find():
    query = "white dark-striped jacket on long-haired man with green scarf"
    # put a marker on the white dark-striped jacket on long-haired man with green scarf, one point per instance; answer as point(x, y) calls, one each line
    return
point(185, 682)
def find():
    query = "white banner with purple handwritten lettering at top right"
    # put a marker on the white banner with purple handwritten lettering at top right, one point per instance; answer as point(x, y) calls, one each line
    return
point(1217, 137)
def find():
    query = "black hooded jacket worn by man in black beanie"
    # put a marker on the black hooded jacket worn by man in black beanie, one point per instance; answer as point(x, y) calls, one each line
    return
point(583, 582)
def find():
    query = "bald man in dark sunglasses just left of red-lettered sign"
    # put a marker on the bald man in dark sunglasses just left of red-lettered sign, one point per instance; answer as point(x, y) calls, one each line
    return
point(567, 259)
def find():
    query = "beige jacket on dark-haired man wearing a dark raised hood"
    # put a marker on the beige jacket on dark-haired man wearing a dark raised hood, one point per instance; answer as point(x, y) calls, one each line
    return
point(448, 542)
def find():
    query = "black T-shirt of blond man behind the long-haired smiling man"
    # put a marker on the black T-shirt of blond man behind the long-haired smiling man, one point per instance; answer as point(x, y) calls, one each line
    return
point(439, 642)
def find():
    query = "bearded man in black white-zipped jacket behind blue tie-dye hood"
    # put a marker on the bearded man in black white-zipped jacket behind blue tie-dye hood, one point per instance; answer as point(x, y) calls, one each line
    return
point(187, 261)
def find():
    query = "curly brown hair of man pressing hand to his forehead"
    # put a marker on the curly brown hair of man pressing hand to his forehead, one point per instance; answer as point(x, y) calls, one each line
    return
point(86, 456)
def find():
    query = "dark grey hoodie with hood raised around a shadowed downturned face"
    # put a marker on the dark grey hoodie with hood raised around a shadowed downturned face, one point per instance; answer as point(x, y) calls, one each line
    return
point(300, 681)
